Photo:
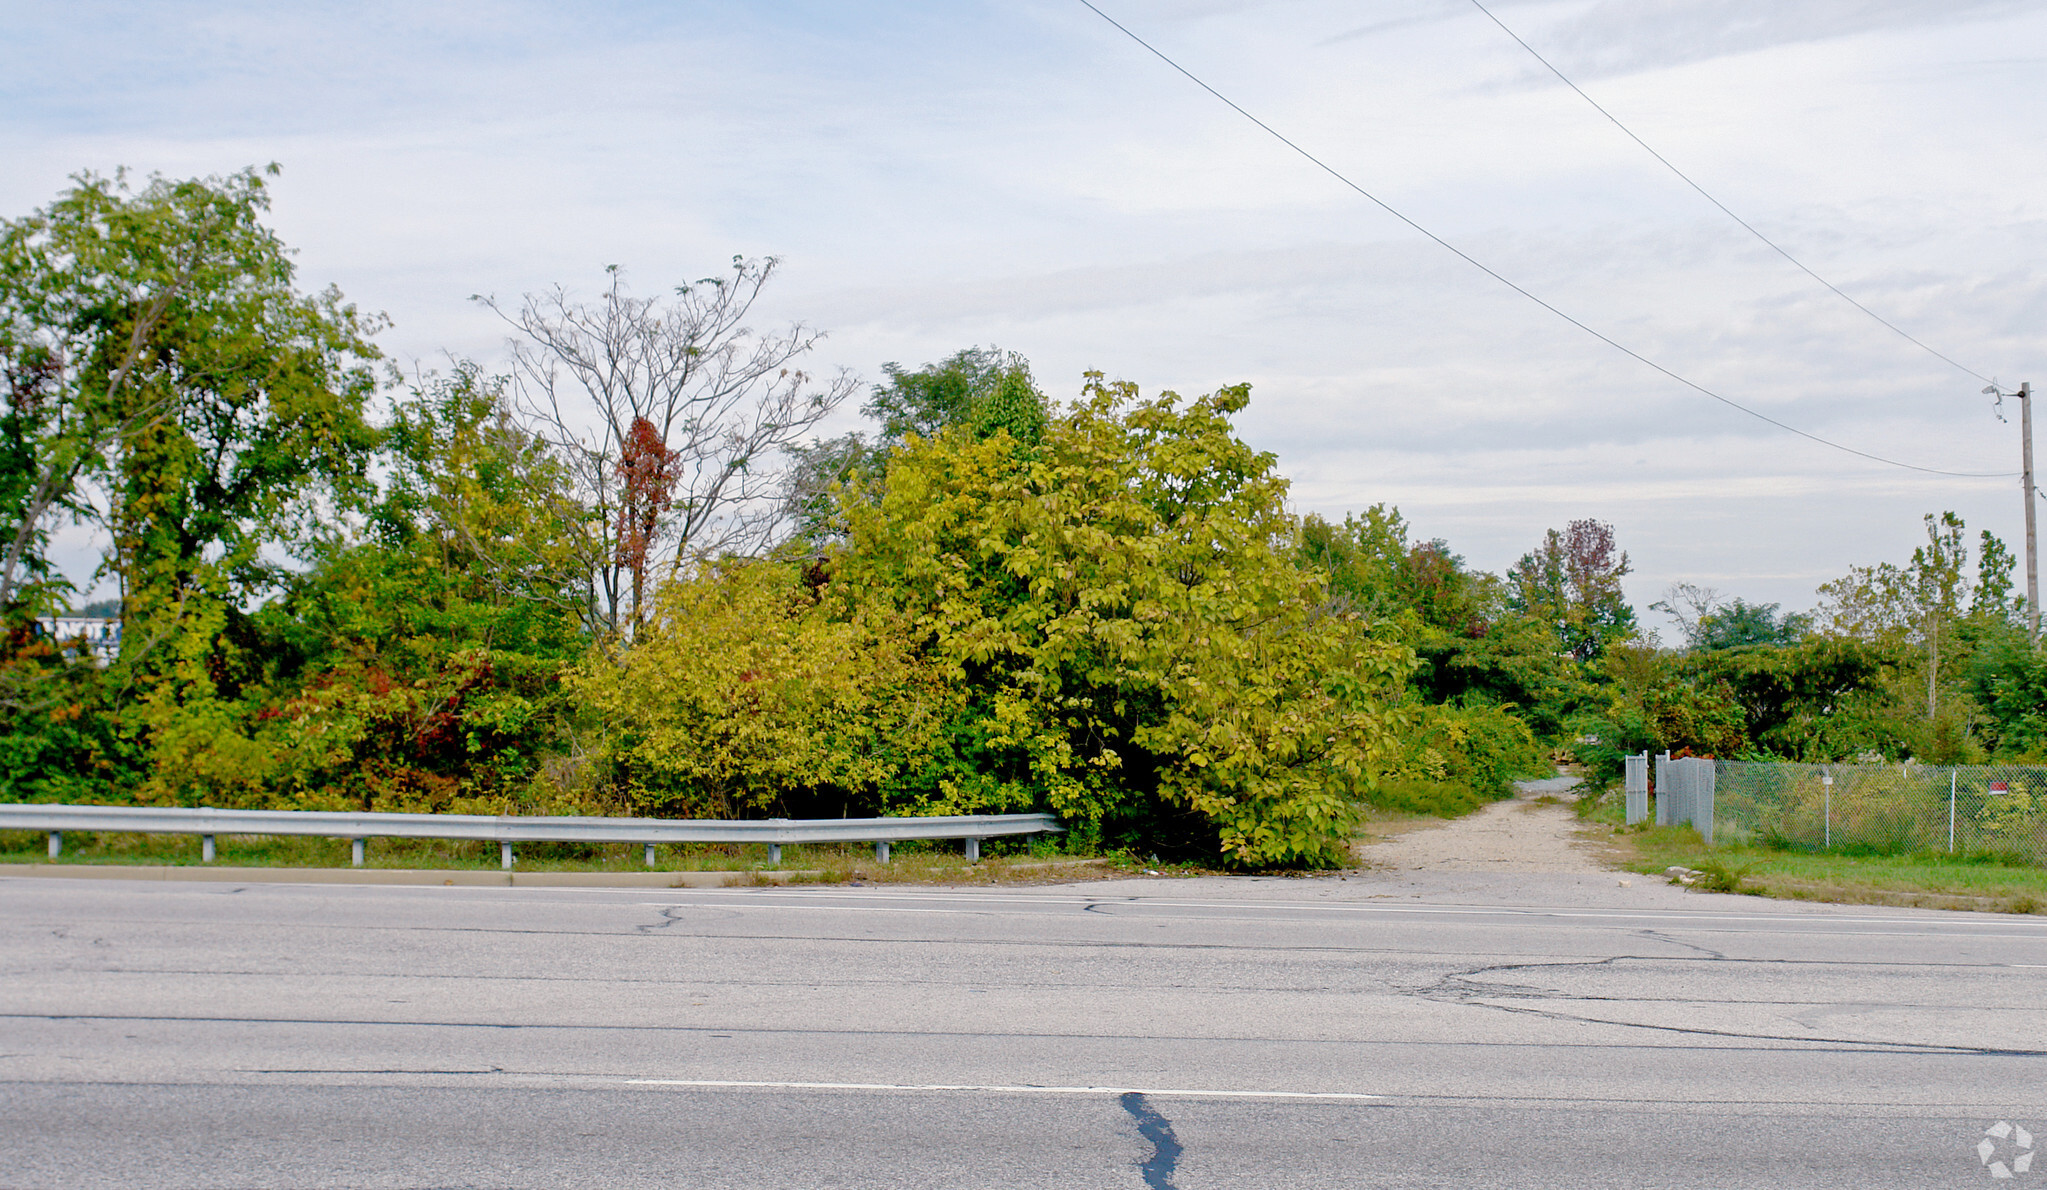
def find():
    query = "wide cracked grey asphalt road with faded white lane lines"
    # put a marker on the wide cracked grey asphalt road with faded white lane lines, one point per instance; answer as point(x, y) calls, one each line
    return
point(1137, 1035)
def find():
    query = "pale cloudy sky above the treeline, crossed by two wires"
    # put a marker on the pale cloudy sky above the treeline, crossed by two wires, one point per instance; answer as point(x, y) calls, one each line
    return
point(1025, 175)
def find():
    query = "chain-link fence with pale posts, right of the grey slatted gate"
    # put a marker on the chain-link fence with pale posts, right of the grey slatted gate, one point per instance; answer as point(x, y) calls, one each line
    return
point(1884, 808)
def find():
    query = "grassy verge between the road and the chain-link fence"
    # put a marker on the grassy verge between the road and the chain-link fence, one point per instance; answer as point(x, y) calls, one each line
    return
point(1927, 880)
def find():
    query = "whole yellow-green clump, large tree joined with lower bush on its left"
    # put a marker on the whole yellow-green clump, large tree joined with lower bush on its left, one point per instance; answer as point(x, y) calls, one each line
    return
point(1106, 624)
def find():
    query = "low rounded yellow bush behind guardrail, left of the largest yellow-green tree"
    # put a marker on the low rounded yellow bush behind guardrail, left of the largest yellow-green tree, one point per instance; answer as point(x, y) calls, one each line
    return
point(760, 689)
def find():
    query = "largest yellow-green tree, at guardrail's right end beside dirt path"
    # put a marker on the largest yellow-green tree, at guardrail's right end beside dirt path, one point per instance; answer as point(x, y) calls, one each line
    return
point(1139, 646)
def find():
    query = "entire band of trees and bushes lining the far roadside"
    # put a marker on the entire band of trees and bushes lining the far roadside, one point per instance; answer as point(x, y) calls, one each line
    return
point(631, 575)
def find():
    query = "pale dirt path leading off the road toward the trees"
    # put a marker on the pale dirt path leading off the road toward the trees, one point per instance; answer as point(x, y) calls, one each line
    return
point(1530, 833)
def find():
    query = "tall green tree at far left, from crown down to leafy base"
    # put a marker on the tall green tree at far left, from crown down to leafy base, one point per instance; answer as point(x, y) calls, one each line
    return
point(169, 382)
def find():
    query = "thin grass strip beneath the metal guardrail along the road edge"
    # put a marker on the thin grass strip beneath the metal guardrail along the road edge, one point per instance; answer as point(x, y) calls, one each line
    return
point(1025, 857)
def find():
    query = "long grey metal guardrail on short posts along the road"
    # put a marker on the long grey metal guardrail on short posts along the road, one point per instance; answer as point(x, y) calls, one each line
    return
point(511, 831)
